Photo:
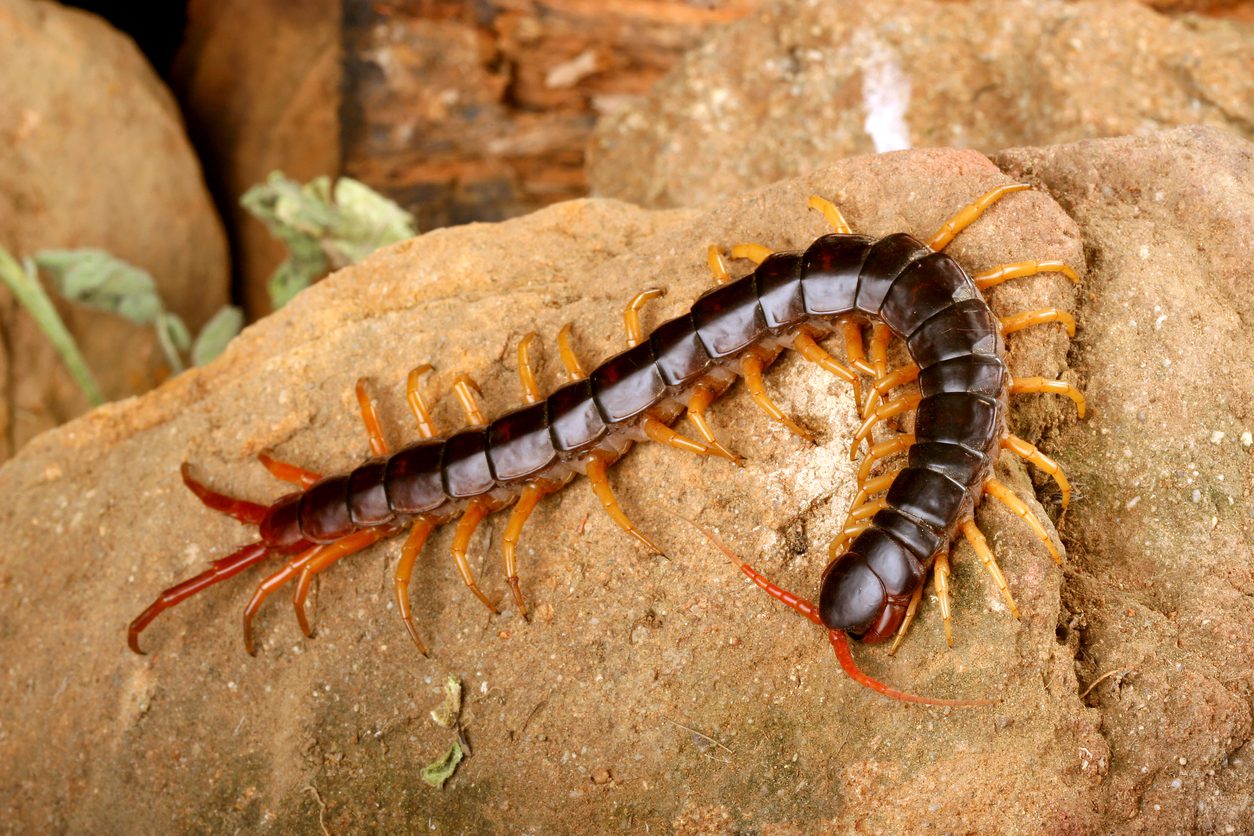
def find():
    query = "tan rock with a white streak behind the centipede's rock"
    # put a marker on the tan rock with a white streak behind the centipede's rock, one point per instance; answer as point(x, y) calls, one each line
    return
point(799, 85)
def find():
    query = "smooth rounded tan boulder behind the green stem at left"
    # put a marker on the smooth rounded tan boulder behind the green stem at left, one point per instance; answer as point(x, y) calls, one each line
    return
point(95, 156)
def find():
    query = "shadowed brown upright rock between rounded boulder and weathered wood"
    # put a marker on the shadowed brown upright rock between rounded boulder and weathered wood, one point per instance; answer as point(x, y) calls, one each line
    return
point(260, 83)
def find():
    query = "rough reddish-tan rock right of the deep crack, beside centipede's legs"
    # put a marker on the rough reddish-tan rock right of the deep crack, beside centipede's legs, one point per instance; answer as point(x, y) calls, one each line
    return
point(1161, 586)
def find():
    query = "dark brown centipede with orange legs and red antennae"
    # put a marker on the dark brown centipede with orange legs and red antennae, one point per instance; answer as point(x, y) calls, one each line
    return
point(902, 525)
